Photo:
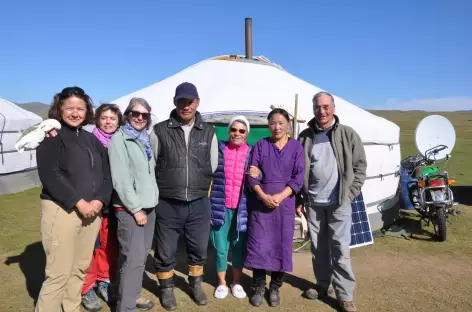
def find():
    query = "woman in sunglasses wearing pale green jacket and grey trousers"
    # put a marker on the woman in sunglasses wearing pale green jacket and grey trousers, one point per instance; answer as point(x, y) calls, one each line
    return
point(134, 199)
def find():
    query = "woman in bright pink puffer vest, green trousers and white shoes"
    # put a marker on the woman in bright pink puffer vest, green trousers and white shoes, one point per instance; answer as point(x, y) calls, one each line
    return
point(228, 206)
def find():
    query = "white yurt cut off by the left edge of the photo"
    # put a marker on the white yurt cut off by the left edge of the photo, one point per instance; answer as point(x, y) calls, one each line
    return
point(17, 170)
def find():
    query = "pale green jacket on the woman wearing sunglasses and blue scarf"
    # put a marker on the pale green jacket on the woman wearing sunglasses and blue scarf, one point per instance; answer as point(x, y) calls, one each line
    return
point(134, 182)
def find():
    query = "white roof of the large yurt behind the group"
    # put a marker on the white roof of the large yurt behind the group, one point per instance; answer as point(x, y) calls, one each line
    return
point(231, 83)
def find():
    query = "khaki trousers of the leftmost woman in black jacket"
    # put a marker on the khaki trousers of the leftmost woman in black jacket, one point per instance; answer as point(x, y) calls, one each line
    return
point(68, 241)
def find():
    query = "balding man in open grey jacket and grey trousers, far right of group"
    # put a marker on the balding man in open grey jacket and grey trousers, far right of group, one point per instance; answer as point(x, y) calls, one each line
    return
point(335, 170)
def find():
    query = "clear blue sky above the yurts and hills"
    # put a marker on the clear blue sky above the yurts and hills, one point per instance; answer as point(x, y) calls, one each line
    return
point(384, 54)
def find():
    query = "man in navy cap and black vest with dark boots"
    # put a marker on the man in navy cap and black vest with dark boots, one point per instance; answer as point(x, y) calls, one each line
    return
point(186, 153)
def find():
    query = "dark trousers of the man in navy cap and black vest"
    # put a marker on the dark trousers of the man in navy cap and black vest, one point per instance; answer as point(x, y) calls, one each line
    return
point(175, 217)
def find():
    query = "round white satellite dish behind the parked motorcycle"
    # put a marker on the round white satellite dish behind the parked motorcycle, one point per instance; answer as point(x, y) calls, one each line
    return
point(433, 131)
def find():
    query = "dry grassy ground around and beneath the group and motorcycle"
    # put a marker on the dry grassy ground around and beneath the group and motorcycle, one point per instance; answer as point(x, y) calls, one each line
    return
point(394, 274)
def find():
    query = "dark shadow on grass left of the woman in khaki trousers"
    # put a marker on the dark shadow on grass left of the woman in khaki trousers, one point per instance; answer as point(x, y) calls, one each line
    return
point(32, 262)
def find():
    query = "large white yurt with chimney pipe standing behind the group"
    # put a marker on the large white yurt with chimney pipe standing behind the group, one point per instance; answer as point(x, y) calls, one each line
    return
point(228, 84)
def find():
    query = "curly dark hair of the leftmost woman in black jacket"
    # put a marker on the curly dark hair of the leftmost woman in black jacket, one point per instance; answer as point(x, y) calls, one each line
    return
point(59, 98)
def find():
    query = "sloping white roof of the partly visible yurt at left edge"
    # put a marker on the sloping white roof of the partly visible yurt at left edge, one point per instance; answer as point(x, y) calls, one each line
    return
point(15, 118)
